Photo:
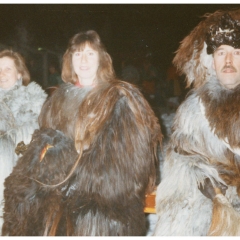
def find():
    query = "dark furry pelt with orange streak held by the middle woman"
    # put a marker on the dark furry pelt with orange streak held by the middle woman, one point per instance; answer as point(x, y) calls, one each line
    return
point(31, 207)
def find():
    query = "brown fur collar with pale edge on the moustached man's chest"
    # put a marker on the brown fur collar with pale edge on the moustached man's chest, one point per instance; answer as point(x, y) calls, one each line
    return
point(222, 110)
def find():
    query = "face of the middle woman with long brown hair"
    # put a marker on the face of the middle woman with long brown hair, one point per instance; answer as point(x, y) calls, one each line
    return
point(85, 64)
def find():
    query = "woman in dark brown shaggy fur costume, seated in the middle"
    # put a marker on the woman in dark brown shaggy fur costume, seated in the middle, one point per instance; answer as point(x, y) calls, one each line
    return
point(88, 169)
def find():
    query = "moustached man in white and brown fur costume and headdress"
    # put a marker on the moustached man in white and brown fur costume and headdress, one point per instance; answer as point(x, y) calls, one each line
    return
point(199, 191)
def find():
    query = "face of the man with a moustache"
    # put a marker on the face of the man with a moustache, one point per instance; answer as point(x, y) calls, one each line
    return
point(226, 63)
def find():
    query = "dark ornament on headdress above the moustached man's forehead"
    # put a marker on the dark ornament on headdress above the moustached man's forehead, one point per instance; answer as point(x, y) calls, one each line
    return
point(227, 32)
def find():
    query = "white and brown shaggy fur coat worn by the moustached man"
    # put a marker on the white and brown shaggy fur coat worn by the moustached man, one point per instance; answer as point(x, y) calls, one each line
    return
point(204, 144)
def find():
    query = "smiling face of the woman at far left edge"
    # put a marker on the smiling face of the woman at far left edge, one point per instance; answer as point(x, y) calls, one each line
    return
point(8, 73)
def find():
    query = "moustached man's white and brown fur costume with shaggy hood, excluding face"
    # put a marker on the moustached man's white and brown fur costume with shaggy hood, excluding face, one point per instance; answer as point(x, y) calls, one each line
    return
point(205, 135)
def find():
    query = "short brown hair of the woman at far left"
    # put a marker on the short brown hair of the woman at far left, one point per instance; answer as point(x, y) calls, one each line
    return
point(19, 64)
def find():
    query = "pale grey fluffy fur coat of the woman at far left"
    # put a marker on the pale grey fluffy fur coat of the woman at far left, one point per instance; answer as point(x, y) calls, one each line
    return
point(19, 111)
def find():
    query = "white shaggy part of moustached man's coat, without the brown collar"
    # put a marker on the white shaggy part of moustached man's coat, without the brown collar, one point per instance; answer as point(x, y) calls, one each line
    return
point(182, 209)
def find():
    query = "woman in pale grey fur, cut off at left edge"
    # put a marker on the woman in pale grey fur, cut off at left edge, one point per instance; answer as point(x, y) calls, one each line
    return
point(20, 105)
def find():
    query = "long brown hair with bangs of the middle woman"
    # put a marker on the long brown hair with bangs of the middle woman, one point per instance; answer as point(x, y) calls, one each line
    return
point(105, 71)
